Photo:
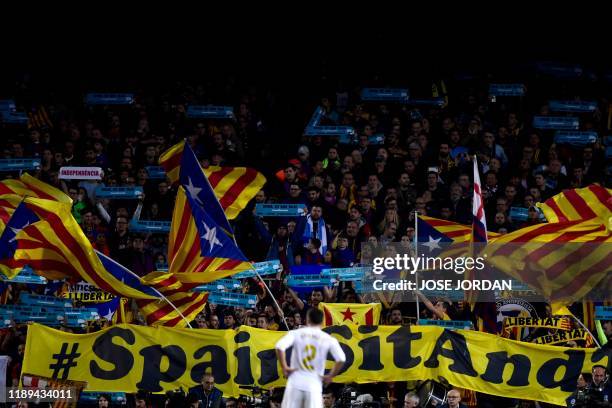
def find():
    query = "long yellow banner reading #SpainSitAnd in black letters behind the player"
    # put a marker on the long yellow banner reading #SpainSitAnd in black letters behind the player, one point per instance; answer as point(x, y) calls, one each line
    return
point(127, 357)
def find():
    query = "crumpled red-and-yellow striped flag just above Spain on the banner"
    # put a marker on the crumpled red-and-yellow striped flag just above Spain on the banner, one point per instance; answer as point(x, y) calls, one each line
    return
point(160, 313)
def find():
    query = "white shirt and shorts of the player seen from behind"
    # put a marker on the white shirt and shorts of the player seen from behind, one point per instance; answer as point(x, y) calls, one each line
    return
point(308, 356)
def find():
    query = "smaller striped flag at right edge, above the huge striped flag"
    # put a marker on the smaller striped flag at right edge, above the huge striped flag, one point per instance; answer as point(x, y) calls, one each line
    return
point(585, 203)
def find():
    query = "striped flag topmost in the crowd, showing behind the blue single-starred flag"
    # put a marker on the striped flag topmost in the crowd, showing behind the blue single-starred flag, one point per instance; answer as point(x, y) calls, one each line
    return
point(234, 187)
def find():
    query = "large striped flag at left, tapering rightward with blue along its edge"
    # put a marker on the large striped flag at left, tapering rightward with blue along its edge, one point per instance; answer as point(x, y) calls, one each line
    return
point(56, 247)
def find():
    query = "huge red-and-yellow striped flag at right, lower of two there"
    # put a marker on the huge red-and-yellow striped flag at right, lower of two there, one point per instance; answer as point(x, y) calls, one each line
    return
point(562, 261)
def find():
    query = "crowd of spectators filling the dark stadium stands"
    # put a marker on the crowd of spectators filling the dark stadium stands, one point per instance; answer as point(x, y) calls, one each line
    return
point(363, 191)
